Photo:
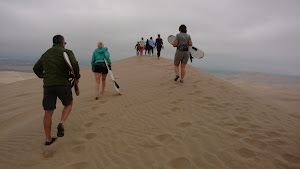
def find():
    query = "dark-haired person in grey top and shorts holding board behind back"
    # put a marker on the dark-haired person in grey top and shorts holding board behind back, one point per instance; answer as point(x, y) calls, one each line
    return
point(182, 42)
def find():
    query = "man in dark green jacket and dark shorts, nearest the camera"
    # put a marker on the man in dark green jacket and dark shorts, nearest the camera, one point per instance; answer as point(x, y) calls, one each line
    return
point(55, 73)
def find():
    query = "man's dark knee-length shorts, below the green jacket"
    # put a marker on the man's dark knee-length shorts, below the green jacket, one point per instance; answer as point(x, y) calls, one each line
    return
point(64, 93)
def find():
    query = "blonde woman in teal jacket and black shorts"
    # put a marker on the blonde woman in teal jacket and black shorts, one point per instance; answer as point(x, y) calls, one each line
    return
point(99, 67)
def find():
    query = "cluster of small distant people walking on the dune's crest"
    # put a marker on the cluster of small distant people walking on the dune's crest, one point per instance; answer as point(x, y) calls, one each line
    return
point(149, 46)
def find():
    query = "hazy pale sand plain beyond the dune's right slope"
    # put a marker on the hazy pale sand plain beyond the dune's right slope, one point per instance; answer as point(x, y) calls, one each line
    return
point(281, 90)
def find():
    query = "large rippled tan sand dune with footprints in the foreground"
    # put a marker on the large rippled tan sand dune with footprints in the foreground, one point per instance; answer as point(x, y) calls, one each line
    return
point(155, 124)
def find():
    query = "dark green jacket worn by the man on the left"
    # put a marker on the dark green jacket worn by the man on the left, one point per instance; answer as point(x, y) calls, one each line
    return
point(53, 68)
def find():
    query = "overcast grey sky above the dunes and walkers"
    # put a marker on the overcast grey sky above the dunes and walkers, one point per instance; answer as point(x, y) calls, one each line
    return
point(236, 35)
